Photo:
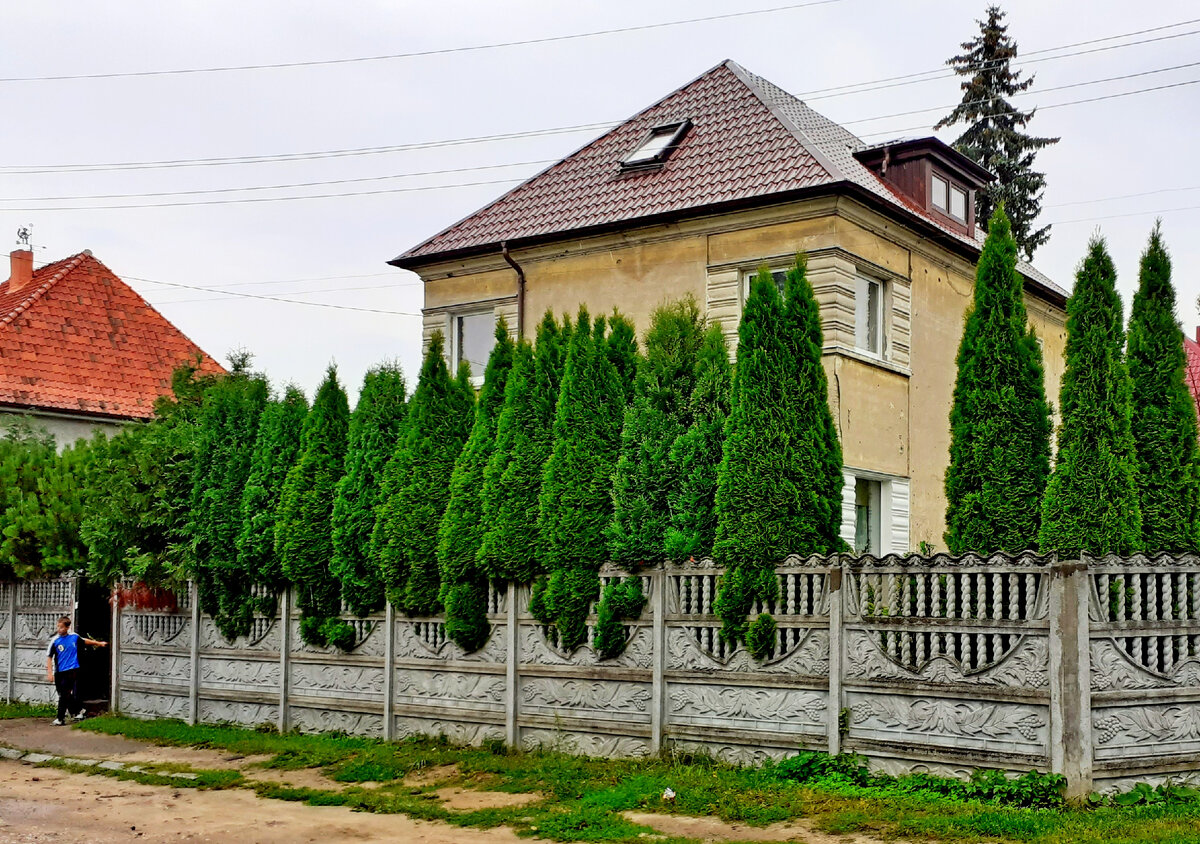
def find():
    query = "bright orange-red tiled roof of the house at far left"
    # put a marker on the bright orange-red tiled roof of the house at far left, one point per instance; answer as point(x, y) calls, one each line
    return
point(80, 340)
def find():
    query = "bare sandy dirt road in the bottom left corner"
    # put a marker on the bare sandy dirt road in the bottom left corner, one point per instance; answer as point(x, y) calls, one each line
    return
point(40, 806)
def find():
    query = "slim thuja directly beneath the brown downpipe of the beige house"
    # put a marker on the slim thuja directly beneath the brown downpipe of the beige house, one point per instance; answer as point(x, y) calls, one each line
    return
point(511, 549)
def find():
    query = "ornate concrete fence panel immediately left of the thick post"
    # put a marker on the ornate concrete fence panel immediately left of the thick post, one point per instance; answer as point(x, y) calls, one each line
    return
point(947, 662)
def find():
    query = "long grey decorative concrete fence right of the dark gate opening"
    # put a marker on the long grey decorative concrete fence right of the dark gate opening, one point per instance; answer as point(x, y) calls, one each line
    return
point(1088, 668)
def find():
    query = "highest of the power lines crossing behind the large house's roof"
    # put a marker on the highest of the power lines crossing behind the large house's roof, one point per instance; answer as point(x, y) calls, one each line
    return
point(37, 170)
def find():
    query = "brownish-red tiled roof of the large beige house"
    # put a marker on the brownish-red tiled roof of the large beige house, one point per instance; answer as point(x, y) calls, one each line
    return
point(749, 140)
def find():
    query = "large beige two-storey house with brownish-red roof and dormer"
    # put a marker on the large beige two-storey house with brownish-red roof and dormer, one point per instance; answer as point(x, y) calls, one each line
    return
point(692, 196)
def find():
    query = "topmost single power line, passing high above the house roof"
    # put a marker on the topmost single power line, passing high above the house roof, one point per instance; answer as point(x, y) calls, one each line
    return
point(391, 57)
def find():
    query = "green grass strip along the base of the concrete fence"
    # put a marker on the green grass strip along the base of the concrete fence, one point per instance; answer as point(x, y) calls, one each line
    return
point(583, 799)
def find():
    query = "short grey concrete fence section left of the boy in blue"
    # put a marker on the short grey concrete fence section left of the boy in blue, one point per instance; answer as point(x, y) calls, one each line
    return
point(32, 610)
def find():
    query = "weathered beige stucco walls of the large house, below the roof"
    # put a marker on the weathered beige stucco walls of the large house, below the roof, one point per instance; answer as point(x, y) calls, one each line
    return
point(892, 409)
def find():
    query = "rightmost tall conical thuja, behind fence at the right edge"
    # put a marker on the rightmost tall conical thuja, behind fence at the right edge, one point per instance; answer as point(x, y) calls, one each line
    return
point(1163, 417)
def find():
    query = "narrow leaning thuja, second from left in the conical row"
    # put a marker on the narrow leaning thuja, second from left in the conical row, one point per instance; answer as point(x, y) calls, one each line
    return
point(277, 451)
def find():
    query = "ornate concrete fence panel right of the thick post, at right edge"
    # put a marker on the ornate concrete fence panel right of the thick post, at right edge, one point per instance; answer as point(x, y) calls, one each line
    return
point(1145, 667)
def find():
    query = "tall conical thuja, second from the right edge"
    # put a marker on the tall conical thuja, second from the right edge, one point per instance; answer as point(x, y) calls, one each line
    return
point(1091, 504)
